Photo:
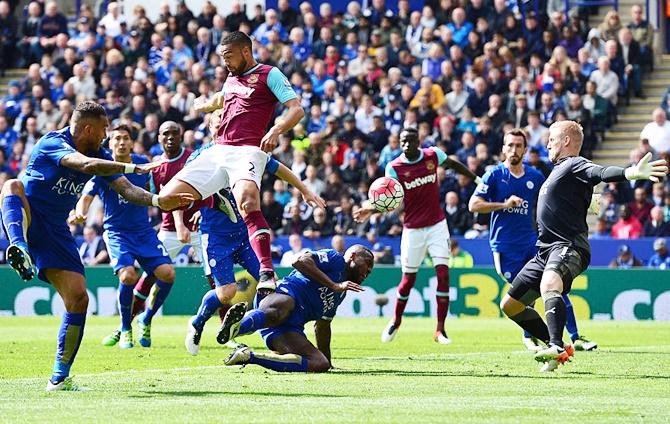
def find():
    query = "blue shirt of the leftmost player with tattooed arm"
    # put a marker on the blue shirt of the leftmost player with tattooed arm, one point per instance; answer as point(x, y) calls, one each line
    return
point(53, 189)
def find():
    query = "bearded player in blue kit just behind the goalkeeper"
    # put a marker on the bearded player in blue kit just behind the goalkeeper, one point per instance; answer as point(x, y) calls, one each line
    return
point(509, 192)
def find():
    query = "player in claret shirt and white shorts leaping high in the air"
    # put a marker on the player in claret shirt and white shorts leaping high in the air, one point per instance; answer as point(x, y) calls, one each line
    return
point(248, 99)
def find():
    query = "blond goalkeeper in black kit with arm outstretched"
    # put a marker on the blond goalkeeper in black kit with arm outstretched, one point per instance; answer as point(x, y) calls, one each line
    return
point(563, 247)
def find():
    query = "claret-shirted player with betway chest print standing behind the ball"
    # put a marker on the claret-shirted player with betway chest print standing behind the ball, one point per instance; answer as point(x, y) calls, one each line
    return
point(425, 225)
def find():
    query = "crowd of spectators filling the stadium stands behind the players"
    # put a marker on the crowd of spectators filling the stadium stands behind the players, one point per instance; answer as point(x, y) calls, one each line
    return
point(462, 75)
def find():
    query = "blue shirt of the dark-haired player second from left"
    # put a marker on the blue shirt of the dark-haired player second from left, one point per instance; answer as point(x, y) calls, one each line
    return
point(120, 214)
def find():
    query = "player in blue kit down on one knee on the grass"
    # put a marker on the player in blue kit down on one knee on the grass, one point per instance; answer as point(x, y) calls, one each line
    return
point(311, 292)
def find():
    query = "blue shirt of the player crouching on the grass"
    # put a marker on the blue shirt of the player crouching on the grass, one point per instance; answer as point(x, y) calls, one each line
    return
point(315, 300)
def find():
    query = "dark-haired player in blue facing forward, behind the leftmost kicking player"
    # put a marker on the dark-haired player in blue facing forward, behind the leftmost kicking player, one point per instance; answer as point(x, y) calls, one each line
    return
point(129, 237)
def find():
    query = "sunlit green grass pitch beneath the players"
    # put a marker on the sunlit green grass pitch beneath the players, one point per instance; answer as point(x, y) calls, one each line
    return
point(483, 376)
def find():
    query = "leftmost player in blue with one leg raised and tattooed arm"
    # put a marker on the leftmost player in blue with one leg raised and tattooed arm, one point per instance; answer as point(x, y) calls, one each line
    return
point(35, 210)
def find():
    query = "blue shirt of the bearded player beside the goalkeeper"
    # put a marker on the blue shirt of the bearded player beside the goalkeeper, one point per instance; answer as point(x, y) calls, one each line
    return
point(512, 229)
